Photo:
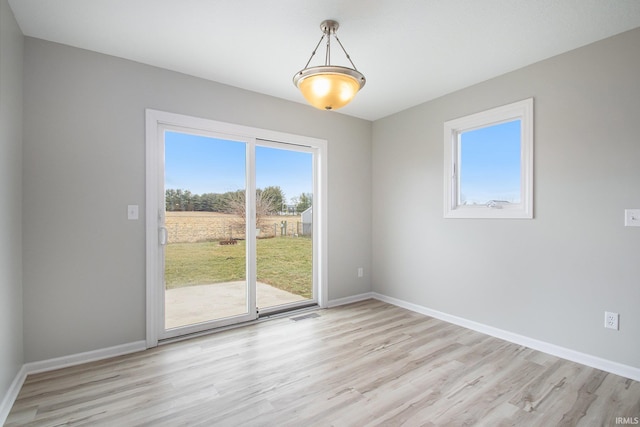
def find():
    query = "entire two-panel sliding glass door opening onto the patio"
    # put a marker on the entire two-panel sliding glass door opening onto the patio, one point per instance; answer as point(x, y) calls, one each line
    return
point(237, 229)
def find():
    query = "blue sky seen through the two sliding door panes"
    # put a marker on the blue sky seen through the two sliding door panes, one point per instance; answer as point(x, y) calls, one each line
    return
point(208, 165)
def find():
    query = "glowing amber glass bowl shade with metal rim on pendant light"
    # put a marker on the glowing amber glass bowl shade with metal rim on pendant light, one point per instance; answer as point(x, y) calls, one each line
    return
point(329, 87)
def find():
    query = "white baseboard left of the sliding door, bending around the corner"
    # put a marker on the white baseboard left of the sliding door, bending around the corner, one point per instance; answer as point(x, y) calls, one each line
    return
point(62, 362)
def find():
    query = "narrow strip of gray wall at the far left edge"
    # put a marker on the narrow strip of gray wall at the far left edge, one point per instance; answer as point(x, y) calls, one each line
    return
point(11, 50)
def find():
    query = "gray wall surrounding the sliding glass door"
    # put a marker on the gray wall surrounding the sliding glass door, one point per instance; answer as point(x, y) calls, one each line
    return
point(84, 157)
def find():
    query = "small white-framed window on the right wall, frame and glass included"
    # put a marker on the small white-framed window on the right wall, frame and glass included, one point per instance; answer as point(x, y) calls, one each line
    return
point(489, 163)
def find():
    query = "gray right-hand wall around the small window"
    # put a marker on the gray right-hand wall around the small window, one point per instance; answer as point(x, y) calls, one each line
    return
point(550, 278)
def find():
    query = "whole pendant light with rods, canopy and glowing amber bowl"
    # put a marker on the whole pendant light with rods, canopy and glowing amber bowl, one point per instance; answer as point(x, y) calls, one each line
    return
point(329, 87)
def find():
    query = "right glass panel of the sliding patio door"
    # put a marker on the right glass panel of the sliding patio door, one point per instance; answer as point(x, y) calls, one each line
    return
point(284, 234)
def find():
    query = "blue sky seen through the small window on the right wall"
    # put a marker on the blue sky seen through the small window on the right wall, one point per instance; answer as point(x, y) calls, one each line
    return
point(490, 164)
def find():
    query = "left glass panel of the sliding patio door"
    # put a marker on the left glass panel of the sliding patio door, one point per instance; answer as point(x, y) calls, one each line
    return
point(206, 282)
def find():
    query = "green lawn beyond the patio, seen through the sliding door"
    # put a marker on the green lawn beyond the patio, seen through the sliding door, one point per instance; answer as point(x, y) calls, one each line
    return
point(283, 262)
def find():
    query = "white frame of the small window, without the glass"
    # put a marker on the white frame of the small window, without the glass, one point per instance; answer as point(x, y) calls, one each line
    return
point(521, 110)
